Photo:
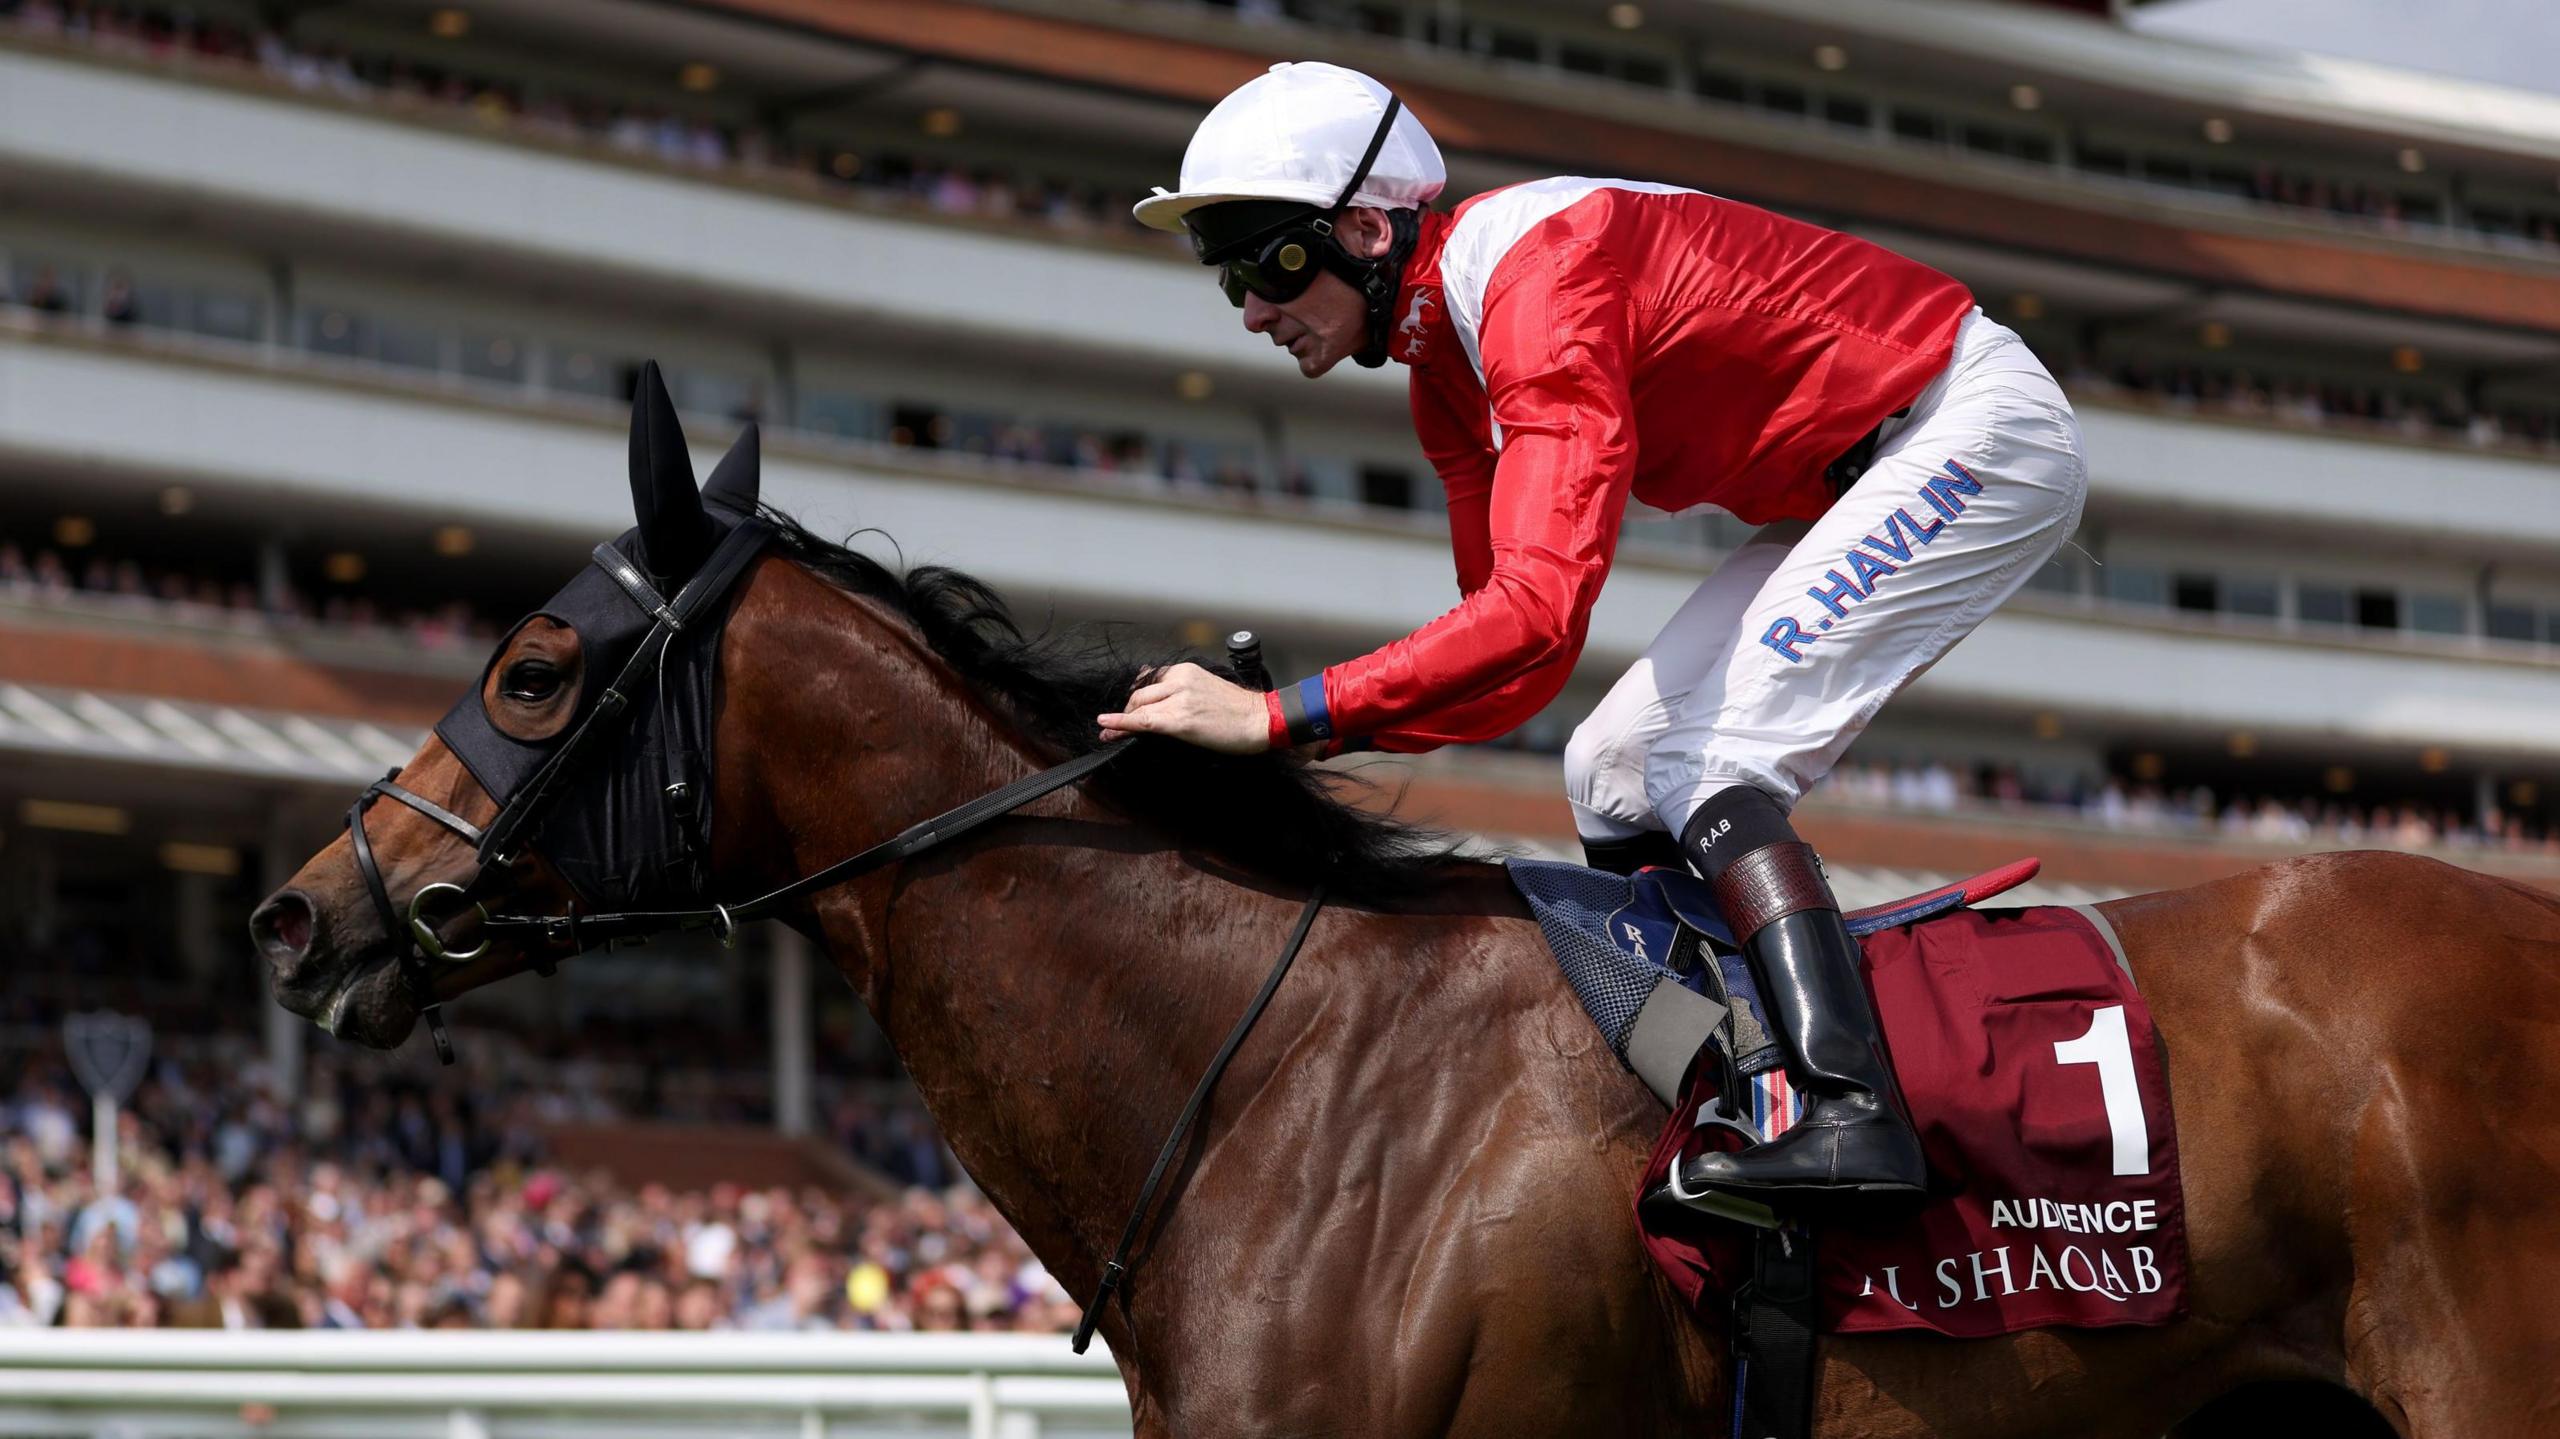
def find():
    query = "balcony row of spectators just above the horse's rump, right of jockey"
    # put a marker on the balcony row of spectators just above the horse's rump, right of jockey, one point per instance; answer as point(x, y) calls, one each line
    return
point(2147, 805)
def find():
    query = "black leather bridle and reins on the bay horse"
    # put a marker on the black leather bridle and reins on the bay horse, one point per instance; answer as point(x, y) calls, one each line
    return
point(518, 821)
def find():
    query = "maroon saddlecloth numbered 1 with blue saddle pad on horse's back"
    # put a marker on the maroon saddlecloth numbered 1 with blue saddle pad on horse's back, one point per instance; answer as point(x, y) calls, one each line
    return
point(2054, 1194)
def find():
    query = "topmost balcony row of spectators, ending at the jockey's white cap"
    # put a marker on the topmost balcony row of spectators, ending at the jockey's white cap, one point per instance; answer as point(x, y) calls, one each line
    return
point(672, 137)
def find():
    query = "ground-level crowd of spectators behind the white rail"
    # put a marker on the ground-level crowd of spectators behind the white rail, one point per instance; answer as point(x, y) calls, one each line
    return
point(398, 1200)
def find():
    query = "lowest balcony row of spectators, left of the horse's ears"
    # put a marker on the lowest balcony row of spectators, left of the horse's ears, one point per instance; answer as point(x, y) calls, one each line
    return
point(193, 598)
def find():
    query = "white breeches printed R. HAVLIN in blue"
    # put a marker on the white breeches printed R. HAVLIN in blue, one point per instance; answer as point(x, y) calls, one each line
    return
point(1783, 657)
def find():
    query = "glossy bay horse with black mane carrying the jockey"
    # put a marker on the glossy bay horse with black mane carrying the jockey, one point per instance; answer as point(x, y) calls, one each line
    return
point(1409, 1207)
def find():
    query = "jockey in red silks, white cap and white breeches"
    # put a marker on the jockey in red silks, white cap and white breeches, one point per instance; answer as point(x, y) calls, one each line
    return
point(1583, 342)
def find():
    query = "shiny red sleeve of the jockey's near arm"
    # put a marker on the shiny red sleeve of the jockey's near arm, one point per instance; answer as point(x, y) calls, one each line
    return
point(1555, 347)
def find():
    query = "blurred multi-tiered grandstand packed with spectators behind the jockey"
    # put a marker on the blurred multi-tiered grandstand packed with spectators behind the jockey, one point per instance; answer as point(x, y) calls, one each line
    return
point(316, 337)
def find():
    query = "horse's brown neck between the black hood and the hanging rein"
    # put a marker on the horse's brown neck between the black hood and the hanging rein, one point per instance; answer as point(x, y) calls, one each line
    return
point(1053, 982)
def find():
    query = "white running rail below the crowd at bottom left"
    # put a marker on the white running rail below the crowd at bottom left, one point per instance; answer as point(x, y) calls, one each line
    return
point(173, 1384)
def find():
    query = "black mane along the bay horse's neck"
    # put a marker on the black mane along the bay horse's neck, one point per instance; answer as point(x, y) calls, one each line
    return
point(1274, 816)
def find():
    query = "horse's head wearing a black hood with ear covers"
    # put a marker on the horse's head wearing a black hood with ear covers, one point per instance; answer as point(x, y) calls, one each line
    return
point(572, 780)
